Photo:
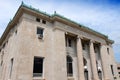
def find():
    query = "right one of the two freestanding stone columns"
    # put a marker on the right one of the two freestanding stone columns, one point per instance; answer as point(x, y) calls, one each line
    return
point(93, 62)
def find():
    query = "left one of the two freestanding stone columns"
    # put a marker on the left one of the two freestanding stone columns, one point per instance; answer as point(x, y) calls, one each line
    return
point(80, 60)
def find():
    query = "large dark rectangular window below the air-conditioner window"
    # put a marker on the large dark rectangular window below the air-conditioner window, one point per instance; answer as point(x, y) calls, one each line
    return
point(38, 67)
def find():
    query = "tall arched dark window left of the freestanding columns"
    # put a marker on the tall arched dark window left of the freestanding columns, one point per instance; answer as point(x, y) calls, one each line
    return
point(69, 66)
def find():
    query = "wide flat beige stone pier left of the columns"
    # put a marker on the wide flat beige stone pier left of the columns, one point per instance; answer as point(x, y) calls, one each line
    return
point(60, 68)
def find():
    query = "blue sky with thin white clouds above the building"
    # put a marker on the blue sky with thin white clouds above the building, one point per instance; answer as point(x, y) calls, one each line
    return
point(100, 15)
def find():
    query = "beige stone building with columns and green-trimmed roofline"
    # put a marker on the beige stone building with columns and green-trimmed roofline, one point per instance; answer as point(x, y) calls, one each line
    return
point(39, 46)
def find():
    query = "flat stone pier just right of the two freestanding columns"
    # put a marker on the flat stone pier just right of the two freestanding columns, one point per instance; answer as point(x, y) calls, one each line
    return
point(103, 52)
